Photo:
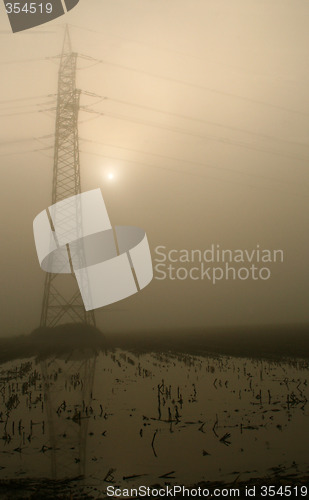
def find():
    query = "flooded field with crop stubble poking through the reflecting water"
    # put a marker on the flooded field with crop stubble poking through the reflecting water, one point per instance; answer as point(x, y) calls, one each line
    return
point(153, 418)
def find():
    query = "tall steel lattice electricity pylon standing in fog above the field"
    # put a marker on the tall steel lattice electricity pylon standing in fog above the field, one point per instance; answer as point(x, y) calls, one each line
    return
point(62, 302)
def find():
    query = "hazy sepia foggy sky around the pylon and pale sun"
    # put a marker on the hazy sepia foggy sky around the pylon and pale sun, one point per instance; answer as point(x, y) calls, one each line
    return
point(215, 150)
